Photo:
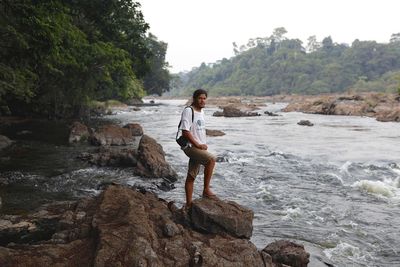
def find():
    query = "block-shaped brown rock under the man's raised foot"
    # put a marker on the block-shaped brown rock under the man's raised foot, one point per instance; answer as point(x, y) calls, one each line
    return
point(217, 217)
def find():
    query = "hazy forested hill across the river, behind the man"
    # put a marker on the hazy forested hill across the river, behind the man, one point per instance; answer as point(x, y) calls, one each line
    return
point(278, 65)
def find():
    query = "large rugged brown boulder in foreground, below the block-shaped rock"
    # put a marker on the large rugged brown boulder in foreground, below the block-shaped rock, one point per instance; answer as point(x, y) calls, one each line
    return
point(142, 228)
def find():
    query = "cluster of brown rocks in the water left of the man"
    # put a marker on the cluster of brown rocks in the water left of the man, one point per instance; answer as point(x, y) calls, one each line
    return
point(129, 147)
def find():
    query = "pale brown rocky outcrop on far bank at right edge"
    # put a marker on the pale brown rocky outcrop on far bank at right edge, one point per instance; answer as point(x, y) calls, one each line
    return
point(384, 107)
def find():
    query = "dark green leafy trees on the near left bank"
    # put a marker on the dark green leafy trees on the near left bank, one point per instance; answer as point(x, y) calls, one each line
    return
point(59, 56)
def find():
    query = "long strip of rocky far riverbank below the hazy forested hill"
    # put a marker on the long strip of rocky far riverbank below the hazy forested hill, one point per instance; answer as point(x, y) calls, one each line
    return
point(382, 106)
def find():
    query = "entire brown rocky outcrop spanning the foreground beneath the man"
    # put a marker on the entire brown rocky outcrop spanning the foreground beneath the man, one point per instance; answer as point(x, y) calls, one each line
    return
point(126, 227)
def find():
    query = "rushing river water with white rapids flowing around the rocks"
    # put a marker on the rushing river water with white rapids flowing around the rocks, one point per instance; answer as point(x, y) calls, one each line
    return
point(333, 187)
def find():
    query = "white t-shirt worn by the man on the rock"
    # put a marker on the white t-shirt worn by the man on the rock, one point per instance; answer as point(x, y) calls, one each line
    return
point(198, 128)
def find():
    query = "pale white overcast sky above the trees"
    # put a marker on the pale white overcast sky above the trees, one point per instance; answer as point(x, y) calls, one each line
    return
point(203, 30)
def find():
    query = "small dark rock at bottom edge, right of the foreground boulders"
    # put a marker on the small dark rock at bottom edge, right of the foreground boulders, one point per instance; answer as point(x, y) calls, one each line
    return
point(289, 253)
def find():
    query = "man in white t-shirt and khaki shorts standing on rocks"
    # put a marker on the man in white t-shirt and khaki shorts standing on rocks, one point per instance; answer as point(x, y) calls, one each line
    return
point(193, 128)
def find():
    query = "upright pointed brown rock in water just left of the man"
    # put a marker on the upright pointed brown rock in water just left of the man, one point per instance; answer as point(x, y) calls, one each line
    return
point(151, 160)
